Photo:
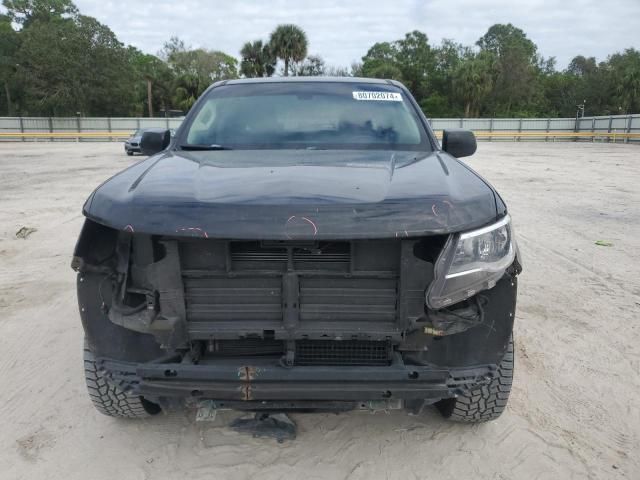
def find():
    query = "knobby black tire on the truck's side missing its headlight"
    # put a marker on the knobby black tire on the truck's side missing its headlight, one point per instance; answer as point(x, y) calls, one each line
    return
point(109, 399)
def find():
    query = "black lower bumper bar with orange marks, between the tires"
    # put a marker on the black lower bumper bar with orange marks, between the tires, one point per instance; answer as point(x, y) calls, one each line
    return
point(268, 383)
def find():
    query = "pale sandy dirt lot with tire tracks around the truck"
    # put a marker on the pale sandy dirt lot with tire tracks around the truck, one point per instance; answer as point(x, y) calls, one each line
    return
point(574, 411)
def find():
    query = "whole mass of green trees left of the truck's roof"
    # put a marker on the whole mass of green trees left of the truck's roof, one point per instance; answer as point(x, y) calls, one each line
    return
point(61, 63)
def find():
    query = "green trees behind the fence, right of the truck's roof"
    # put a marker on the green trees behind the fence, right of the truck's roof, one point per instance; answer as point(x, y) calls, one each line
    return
point(505, 76)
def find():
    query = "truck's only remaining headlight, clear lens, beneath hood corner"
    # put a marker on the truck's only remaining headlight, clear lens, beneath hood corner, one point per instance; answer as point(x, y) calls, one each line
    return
point(471, 262)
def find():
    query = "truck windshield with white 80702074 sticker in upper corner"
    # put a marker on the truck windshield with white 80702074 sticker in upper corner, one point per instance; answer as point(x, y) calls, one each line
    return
point(313, 115)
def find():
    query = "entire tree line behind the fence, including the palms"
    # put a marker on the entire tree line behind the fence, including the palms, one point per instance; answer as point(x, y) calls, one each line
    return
point(54, 61)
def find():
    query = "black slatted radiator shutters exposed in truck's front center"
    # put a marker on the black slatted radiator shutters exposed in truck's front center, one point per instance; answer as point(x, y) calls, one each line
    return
point(334, 281)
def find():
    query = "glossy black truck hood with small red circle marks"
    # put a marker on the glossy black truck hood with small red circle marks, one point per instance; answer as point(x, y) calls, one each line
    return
point(294, 194)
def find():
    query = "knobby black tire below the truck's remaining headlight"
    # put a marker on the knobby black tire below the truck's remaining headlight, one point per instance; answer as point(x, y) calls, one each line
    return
point(483, 403)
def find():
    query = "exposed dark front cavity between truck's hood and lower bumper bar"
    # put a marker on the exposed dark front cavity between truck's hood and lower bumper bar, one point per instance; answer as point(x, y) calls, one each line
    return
point(354, 302)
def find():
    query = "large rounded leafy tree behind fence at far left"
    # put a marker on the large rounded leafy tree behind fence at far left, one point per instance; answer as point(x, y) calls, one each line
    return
point(83, 69)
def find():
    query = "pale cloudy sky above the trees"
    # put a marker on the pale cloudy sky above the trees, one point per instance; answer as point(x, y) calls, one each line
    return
point(341, 31)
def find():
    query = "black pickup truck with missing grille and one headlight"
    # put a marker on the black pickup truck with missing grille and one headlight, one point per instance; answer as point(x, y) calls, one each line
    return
point(300, 244)
